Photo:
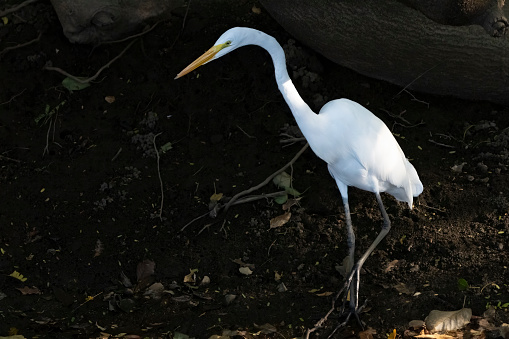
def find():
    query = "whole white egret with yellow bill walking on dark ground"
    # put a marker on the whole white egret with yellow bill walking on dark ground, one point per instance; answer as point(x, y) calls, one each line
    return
point(357, 146)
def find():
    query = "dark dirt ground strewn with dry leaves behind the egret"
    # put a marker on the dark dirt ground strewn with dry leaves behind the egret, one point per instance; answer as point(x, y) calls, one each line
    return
point(80, 191)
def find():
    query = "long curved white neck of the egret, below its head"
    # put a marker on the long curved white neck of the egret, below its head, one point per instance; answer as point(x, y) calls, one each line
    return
point(304, 116)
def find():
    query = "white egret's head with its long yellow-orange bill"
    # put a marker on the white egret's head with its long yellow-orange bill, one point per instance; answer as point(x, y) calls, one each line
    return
point(229, 41)
